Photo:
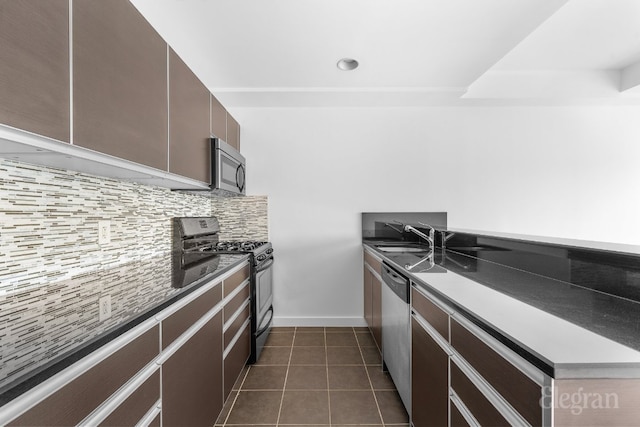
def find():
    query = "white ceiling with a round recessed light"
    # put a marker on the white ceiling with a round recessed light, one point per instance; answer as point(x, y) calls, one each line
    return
point(269, 53)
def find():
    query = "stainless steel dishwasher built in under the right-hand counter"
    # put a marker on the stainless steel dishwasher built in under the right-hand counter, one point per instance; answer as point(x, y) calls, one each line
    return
point(396, 331)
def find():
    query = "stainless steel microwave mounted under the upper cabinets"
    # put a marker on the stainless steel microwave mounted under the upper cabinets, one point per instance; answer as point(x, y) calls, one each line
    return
point(227, 168)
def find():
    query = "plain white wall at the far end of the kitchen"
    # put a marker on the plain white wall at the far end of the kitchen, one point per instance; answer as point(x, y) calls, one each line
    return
point(553, 171)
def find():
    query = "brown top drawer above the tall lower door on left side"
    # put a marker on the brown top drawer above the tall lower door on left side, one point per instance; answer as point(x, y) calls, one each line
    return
point(183, 319)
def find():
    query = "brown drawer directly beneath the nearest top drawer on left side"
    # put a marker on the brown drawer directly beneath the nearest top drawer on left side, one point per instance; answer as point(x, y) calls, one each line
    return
point(136, 406)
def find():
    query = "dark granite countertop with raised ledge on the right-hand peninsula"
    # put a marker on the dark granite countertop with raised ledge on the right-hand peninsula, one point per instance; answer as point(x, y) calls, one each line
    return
point(582, 301)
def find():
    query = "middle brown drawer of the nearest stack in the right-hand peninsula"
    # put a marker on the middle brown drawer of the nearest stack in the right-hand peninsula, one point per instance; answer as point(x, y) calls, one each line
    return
point(474, 400)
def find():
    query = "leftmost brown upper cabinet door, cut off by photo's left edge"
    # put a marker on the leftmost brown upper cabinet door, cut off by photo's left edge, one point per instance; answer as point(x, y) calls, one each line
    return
point(34, 66)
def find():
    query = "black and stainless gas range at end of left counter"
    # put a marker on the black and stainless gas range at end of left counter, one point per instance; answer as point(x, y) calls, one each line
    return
point(196, 243)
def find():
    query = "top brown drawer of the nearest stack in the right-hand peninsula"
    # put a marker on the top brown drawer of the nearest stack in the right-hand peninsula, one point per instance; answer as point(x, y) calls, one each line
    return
point(517, 388)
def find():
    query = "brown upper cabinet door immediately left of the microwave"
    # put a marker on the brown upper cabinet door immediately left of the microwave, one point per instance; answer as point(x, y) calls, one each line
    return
point(189, 129)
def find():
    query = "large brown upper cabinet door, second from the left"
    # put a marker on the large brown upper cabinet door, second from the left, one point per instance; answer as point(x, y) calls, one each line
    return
point(119, 83)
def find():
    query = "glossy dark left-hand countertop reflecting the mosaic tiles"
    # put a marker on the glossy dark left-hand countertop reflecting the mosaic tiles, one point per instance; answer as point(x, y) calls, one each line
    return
point(68, 328)
